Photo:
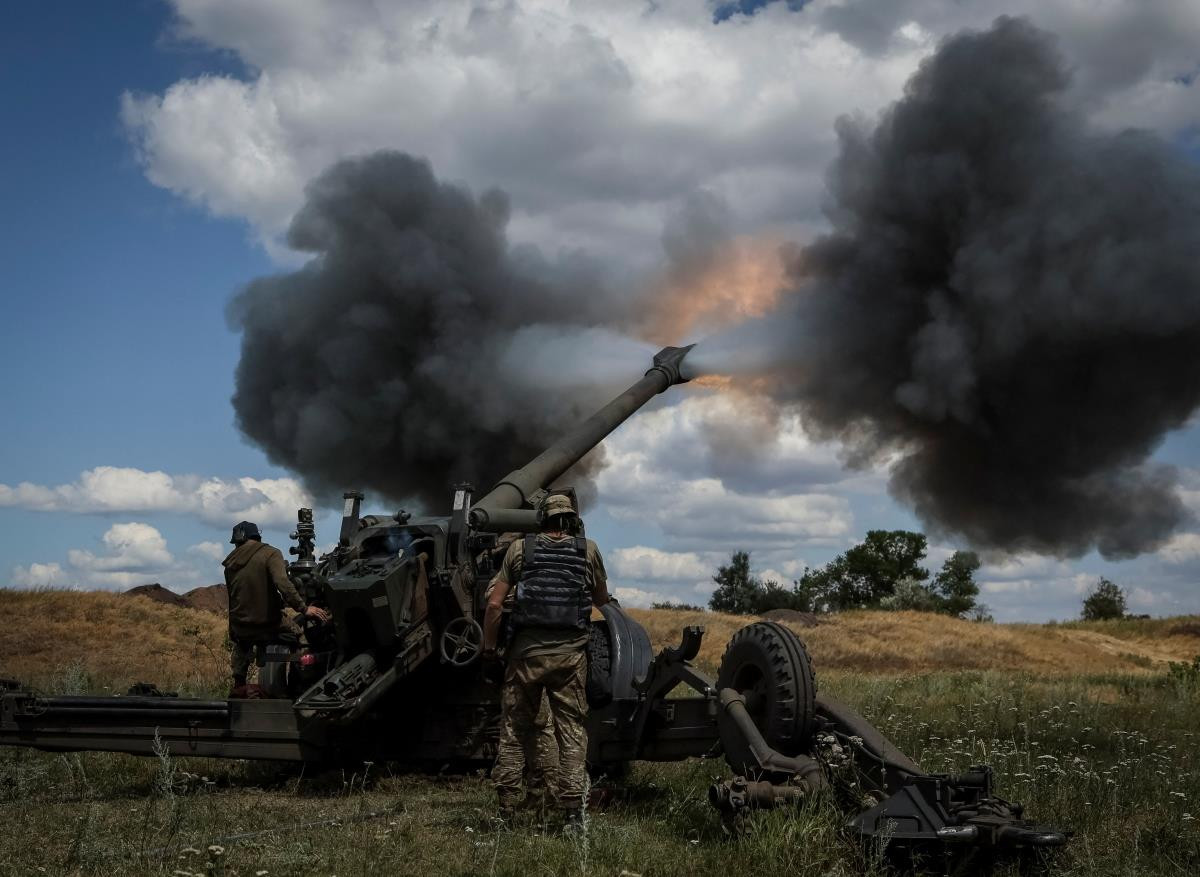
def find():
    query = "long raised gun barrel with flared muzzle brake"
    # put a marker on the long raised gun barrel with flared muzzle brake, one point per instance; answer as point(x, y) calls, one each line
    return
point(505, 508)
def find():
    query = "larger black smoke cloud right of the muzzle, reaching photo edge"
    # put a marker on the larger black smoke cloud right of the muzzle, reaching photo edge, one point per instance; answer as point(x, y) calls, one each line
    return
point(1007, 307)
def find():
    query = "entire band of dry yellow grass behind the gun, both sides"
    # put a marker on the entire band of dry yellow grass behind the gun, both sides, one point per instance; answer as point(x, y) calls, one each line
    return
point(119, 640)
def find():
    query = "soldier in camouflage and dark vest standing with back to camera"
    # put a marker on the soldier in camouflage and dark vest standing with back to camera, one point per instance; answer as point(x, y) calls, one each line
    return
point(560, 576)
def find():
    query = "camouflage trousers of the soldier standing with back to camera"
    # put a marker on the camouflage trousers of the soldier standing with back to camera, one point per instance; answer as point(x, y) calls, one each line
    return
point(551, 689)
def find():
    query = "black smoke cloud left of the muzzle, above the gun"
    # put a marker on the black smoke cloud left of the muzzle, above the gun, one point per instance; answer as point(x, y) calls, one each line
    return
point(417, 349)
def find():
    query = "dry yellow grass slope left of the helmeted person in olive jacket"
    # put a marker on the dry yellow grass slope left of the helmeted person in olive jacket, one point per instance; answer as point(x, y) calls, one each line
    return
point(117, 640)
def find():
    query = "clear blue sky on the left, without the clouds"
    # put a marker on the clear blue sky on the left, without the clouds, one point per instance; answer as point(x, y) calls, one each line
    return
point(115, 349)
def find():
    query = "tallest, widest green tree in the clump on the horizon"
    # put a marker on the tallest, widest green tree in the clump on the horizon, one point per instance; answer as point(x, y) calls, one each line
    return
point(867, 574)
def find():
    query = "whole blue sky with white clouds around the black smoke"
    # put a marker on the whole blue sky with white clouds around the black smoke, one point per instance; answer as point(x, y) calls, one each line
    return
point(128, 231)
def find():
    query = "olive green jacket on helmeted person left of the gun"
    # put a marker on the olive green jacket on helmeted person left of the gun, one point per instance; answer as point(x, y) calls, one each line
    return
point(257, 578)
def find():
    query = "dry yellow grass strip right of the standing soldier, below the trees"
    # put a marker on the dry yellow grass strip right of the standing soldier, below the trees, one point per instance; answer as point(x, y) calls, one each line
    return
point(915, 642)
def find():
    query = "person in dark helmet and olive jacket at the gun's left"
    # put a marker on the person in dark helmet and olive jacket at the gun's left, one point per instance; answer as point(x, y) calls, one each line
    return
point(259, 585)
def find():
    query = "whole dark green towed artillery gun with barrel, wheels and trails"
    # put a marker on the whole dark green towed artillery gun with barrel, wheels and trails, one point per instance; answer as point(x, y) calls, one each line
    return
point(397, 677)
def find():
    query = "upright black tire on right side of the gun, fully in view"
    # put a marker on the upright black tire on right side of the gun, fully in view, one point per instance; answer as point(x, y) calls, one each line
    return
point(769, 664)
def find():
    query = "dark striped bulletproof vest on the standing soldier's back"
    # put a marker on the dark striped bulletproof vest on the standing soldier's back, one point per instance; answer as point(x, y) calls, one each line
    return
point(554, 588)
